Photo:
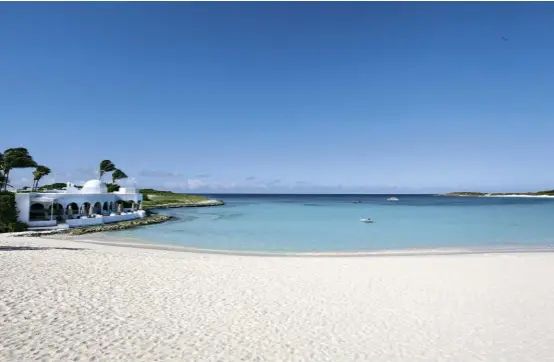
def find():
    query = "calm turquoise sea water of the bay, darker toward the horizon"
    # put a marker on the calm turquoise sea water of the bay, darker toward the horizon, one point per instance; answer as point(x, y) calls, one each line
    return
point(302, 223)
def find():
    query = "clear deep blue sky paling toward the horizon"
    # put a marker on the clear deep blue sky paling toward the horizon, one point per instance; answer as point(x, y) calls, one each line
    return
point(284, 97)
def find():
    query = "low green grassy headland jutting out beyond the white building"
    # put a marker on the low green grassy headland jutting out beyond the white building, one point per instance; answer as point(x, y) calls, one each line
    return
point(156, 199)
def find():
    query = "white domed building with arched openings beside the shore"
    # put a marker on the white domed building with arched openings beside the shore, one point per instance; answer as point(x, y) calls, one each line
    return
point(73, 207)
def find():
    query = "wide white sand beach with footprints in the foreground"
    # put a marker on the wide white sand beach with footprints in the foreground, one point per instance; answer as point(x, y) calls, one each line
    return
point(107, 303)
